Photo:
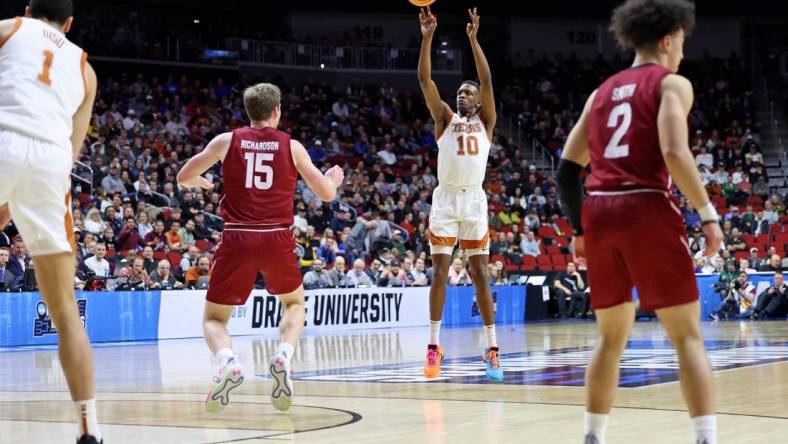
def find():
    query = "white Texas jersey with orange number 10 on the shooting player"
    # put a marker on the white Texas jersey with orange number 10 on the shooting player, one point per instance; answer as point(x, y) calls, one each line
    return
point(462, 152)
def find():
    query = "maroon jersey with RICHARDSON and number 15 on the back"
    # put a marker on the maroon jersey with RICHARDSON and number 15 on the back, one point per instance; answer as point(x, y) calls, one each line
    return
point(259, 180)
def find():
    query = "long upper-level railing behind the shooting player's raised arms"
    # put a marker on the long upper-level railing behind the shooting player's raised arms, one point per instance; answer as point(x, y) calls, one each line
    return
point(341, 57)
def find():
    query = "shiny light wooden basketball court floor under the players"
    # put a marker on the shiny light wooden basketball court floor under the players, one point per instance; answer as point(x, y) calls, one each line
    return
point(366, 387)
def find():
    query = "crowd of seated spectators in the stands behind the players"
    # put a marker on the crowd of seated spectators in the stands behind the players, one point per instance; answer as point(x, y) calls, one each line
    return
point(135, 228)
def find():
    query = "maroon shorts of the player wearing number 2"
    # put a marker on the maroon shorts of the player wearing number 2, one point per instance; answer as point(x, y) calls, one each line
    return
point(637, 239)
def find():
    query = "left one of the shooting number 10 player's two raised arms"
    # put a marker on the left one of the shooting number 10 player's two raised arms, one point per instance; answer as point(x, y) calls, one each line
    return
point(439, 110)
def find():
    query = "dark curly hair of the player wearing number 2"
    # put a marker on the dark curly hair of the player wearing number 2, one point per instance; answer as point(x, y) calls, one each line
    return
point(642, 23)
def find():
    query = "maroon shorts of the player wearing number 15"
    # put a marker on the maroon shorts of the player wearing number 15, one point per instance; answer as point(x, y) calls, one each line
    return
point(242, 254)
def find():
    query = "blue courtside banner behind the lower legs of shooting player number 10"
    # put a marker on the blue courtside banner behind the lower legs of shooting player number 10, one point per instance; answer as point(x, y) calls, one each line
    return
point(461, 307)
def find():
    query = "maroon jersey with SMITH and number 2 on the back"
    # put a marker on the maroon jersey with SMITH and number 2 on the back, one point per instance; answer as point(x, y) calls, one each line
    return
point(622, 132)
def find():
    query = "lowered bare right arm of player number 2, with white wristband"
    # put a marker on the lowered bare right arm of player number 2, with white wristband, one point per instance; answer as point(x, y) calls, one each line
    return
point(677, 98)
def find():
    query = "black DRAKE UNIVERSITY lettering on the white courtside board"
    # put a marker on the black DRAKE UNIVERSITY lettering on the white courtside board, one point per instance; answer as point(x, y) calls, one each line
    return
point(333, 309)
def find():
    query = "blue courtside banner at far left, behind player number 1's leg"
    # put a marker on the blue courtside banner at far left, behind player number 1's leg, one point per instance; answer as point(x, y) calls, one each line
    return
point(107, 316)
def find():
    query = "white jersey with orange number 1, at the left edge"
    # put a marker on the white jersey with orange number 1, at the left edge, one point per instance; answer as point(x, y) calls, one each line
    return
point(42, 82)
